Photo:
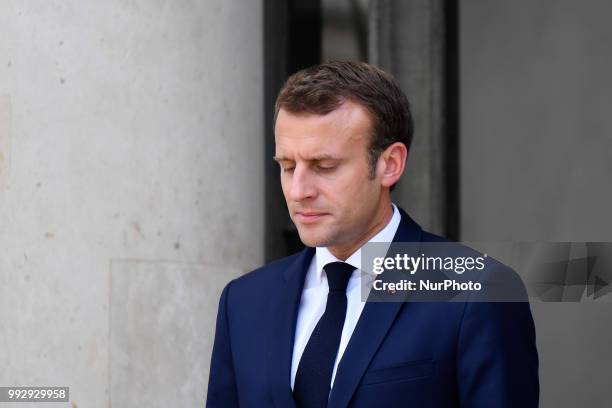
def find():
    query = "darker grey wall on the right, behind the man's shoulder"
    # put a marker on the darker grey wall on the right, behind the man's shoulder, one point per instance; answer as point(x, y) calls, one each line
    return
point(536, 142)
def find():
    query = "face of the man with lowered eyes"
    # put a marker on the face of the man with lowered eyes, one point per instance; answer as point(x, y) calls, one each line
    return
point(325, 175)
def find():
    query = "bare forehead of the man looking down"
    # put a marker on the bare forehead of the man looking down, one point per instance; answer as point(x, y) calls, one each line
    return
point(345, 129)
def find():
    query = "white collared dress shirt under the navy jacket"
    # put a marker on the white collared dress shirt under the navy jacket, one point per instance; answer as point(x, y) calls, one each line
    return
point(314, 296)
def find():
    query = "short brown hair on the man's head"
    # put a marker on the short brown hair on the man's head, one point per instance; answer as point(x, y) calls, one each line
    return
point(322, 88)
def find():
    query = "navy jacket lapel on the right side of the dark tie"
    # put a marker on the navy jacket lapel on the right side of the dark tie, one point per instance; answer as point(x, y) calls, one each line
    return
point(375, 321)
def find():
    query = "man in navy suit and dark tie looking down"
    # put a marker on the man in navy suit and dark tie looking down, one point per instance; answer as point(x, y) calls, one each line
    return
point(296, 332)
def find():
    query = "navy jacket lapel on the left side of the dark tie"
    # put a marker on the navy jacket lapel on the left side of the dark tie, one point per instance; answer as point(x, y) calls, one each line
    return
point(283, 313)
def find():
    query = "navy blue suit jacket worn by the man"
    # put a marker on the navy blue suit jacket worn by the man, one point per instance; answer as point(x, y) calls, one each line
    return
point(401, 354)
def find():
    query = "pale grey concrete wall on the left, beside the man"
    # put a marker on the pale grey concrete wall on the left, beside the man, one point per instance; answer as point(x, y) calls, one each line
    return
point(130, 191)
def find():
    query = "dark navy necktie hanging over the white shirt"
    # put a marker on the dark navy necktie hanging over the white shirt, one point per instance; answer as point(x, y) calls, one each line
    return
point(313, 378)
